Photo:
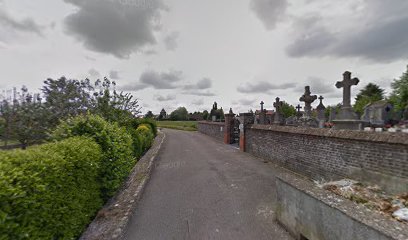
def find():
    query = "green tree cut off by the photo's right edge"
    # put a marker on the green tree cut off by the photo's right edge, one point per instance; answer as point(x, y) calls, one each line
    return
point(399, 95)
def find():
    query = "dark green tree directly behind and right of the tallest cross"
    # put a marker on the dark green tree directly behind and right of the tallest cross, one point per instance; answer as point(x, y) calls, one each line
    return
point(369, 94)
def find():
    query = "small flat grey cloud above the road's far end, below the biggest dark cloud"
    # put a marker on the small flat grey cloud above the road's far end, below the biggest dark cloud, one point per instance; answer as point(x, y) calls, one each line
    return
point(161, 80)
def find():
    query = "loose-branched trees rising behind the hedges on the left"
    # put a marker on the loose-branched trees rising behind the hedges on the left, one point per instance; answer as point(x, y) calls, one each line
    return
point(28, 118)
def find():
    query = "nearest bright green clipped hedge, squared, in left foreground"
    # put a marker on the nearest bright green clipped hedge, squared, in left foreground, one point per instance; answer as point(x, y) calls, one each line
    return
point(49, 191)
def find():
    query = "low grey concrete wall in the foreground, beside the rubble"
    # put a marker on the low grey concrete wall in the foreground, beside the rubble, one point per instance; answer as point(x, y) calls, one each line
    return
point(309, 212)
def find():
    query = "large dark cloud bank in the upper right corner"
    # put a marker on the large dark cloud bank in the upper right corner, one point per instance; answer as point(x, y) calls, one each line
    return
point(381, 35)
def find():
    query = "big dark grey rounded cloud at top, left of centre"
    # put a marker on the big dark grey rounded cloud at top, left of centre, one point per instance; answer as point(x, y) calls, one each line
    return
point(115, 27)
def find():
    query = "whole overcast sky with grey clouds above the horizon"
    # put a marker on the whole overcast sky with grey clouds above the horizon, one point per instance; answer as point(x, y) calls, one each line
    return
point(172, 53)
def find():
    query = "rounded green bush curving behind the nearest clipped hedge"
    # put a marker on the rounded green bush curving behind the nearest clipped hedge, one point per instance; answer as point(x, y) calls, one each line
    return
point(116, 145)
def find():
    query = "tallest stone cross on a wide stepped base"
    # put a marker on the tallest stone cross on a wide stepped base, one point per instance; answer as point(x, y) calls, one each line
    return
point(347, 118)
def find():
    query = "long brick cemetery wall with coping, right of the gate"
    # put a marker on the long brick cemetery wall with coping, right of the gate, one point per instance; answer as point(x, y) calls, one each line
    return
point(376, 158)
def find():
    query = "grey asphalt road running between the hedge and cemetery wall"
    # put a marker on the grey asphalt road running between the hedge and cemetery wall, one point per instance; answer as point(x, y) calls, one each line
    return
point(203, 189)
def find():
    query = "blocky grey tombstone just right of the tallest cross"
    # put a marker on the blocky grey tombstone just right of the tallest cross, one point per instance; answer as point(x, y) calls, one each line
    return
point(377, 114)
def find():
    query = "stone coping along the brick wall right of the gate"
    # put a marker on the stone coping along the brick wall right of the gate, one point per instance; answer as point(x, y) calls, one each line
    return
point(383, 137)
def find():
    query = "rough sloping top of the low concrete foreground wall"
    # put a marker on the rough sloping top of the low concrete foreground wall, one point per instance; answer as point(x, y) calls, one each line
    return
point(358, 212)
